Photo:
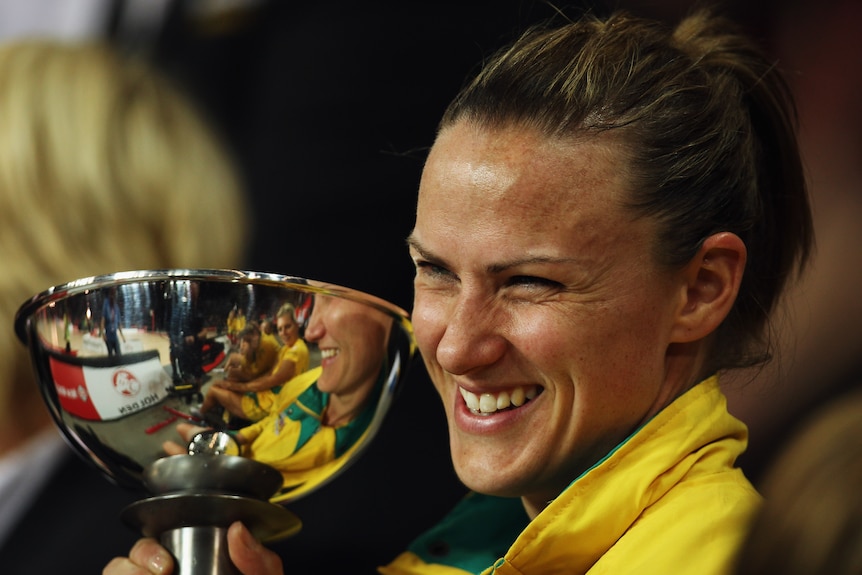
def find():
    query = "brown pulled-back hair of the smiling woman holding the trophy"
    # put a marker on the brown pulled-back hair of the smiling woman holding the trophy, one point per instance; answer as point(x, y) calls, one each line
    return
point(708, 129)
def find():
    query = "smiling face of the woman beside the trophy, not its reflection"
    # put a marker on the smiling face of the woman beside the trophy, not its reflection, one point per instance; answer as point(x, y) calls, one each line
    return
point(535, 289)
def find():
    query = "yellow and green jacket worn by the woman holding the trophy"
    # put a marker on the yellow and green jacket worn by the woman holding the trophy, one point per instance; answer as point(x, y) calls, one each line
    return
point(666, 500)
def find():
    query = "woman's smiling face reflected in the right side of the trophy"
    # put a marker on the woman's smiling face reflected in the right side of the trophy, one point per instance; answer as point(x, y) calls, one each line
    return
point(352, 339)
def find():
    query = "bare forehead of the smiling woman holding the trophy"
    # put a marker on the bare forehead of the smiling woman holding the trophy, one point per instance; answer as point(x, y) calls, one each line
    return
point(474, 172)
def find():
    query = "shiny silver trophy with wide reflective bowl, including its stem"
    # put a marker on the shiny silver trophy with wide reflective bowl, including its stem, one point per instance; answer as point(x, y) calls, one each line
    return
point(175, 381)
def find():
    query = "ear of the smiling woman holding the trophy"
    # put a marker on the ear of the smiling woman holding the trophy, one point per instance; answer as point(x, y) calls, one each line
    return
point(712, 280)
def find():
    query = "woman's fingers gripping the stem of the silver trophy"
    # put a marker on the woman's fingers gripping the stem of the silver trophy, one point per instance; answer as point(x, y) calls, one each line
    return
point(147, 557)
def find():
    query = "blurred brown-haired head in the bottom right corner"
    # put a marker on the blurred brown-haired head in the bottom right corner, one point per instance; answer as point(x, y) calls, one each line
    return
point(811, 522)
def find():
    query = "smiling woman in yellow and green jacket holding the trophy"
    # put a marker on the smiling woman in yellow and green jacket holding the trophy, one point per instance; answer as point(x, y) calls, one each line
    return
point(605, 221)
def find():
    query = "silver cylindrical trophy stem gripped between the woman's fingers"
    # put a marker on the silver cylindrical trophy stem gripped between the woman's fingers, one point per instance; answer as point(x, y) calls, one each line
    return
point(199, 550)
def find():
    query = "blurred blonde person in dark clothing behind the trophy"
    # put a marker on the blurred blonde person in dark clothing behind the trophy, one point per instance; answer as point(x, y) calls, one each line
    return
point(104, 166)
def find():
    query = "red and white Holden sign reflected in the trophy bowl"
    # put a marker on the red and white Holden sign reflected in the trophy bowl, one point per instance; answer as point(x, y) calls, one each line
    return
point(99, 393)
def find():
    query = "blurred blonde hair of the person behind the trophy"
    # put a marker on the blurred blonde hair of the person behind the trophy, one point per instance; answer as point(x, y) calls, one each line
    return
point(104, 166)
